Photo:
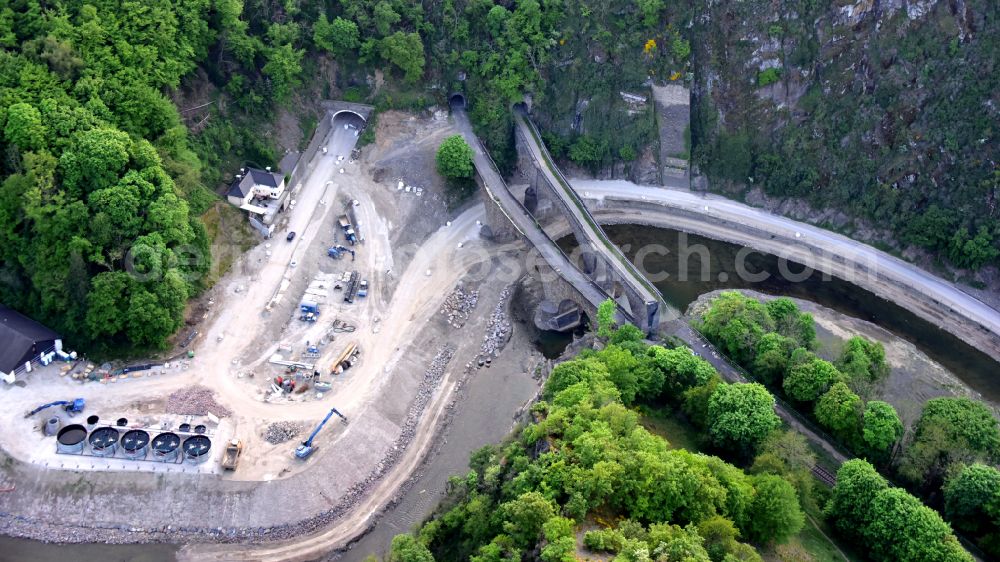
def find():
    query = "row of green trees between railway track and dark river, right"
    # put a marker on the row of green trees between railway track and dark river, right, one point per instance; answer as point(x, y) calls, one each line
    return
point(772, 341)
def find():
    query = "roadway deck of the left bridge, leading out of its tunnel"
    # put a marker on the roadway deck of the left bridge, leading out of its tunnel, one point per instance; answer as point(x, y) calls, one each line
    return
point(520, 218)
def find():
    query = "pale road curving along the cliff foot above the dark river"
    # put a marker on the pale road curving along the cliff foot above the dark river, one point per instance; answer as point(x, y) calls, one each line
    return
point(927, 295)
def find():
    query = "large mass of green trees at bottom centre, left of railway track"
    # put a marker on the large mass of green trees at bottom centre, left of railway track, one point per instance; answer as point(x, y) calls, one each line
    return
point(585, 477)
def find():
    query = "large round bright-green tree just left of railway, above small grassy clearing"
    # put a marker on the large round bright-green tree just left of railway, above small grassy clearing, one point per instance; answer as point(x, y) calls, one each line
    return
point(740, 416)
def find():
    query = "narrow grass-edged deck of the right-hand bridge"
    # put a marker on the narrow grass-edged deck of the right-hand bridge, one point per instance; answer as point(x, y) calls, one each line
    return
point(597, 240)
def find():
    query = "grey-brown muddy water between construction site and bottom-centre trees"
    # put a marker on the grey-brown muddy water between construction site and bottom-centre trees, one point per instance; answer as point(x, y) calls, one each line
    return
point(484, 415)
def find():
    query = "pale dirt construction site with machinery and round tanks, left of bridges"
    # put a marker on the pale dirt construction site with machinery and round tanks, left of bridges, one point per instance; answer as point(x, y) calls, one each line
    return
point(312, 382)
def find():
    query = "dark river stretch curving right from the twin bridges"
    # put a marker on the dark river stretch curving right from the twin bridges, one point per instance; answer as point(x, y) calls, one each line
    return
point(686, 279)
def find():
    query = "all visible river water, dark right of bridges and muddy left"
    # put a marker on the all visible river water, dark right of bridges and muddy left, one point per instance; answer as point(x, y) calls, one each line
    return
point(484, 415)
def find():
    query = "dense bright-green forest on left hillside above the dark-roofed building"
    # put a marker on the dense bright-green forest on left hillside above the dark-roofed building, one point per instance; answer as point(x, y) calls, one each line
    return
point(98, 177)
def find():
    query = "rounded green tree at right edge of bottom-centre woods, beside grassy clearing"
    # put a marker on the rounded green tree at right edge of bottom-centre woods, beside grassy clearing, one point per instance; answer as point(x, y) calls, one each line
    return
point(775, 514)
